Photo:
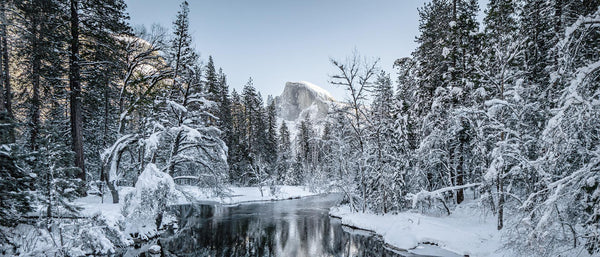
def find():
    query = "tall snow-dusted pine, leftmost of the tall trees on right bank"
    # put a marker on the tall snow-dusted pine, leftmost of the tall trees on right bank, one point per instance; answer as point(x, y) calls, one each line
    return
point(446, 54)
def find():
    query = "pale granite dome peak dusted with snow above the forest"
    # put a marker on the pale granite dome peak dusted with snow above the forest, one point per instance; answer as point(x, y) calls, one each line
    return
point(302, 99)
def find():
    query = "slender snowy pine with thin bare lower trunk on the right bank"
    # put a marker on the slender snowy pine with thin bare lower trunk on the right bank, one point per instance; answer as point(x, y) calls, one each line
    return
point(500, 75)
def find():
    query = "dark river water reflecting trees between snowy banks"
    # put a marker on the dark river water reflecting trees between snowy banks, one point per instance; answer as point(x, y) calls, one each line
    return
point(300, 227)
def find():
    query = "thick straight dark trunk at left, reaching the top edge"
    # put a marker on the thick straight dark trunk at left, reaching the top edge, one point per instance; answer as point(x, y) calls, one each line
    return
point(75, 97)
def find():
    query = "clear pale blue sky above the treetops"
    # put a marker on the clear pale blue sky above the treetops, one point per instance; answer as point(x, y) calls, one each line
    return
point(274, 41)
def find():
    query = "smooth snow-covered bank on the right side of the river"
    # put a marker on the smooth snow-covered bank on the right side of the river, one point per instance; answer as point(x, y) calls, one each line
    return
point(466, 231)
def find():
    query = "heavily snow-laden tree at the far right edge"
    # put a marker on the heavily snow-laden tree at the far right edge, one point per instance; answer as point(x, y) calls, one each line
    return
point(566, 208)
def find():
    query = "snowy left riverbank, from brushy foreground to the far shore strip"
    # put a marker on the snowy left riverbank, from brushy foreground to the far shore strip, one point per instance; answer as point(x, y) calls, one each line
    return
point(106, 228)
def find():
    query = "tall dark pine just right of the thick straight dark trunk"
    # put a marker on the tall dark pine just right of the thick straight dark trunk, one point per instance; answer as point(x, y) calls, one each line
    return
point(103, 25)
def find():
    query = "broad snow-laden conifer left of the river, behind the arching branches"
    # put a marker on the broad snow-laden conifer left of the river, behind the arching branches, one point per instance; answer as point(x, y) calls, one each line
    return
point(196, 149)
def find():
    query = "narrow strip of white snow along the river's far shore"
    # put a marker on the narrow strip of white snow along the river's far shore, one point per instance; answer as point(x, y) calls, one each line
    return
point(244, 194)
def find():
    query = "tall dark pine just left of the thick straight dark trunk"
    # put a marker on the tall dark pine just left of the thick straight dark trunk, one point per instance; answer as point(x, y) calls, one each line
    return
point(48, 159)
